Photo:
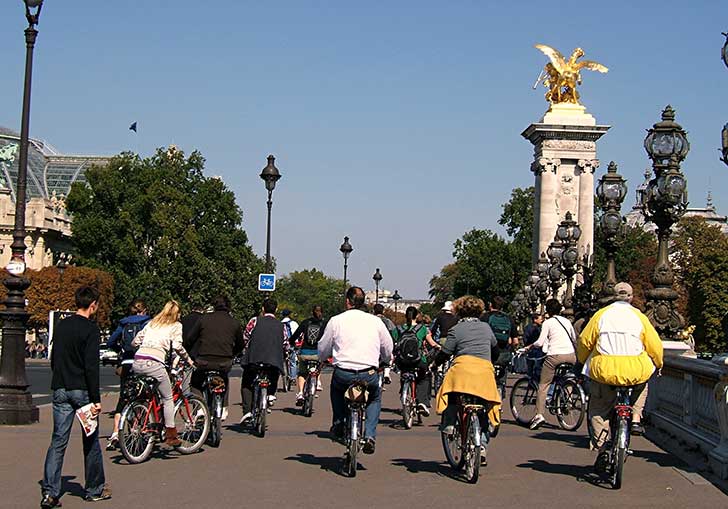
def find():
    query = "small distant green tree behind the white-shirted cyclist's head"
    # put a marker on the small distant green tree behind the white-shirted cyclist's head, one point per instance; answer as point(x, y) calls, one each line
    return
point(299, 291)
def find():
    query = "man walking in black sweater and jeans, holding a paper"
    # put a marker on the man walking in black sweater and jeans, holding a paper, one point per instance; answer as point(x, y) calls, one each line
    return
point(75, 383)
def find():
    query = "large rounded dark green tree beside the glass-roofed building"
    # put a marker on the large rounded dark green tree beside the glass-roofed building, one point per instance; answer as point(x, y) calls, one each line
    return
point(164, 230)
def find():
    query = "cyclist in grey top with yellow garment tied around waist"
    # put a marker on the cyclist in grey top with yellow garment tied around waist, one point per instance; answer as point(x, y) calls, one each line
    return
point(473, 345)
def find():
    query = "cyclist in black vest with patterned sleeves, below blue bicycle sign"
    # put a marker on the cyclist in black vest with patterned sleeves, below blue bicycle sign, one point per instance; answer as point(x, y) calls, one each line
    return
point(264, 346)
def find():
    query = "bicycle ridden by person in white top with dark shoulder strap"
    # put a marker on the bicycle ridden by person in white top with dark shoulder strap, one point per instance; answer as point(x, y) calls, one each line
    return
point(567, 402)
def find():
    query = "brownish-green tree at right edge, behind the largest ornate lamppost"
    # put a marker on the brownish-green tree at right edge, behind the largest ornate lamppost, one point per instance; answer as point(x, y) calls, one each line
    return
point(700, 253)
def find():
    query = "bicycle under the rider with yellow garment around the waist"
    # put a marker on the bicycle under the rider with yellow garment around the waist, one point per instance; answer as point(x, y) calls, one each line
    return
point(463, 447)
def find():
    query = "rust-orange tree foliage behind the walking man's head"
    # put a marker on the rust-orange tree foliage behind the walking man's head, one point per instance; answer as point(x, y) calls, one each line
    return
point(49, 290)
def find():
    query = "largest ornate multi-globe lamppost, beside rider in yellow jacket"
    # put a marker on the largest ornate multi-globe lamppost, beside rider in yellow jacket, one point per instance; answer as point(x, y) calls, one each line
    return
point(666, 200)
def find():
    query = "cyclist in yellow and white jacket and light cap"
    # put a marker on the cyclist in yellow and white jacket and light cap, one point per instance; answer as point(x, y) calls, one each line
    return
point(619, 348)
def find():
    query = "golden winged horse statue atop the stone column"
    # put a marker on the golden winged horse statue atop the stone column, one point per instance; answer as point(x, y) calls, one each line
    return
point(561, 76)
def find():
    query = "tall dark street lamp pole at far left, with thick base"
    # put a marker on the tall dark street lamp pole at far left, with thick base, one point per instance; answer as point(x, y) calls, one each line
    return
point(16, 403)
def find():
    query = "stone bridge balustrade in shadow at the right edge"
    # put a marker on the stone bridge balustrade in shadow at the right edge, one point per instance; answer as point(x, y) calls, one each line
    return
point(690, 402)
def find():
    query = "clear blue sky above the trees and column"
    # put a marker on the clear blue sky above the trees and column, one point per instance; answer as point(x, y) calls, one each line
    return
point(396, 123)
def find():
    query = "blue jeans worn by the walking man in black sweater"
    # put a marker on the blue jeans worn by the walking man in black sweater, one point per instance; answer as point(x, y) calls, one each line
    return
point(65, 404)
